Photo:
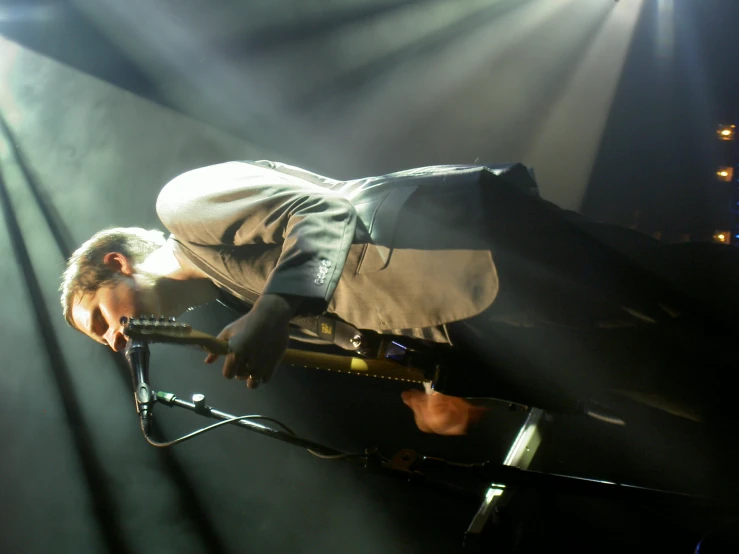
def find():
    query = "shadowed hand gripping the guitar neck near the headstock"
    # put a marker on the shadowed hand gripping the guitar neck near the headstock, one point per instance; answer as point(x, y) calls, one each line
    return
point(258, 340)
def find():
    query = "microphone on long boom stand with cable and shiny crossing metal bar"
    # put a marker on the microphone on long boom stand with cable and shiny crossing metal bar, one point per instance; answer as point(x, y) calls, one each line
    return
point(492, 484)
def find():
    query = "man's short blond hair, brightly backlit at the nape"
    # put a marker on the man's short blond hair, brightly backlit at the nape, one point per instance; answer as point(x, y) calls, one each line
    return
point(86, 272)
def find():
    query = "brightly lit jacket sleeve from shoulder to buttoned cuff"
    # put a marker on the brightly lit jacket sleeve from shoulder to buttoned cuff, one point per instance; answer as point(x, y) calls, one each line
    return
point(241, 204)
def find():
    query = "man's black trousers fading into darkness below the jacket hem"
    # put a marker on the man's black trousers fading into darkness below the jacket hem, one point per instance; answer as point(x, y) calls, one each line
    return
point(581, 315)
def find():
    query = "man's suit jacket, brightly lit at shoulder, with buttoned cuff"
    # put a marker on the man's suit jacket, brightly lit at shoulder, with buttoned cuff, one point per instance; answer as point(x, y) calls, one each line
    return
point(358, 247)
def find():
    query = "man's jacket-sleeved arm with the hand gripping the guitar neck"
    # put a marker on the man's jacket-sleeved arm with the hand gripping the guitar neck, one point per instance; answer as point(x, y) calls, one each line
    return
point(241, 204)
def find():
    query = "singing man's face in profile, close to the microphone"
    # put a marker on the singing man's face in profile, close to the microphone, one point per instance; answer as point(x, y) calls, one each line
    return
point(98, 315)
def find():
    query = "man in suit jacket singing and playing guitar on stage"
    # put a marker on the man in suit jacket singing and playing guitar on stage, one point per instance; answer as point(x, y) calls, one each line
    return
point(442, 254)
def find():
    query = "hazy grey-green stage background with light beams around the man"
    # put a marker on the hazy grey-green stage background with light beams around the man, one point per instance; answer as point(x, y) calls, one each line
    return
point(104, 102)
